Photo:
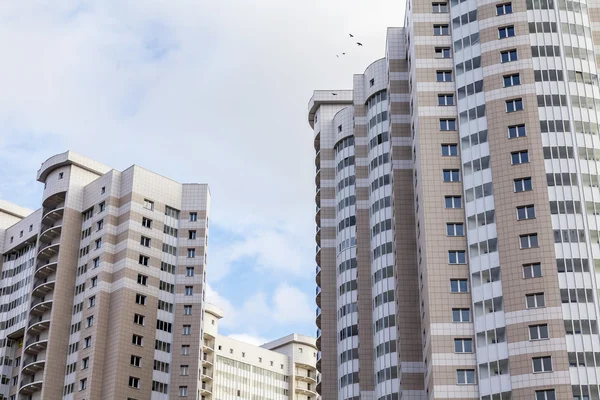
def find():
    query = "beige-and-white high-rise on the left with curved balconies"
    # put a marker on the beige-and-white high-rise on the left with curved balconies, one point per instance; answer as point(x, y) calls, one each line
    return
point(102, 287)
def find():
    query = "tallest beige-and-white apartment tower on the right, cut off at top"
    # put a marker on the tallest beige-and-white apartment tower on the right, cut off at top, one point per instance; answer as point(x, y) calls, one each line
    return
point(458, 208)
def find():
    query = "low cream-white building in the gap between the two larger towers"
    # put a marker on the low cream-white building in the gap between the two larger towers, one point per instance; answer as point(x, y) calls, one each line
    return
point(283, 369)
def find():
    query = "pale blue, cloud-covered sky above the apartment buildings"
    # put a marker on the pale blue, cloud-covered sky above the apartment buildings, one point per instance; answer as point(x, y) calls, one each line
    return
point(200, 91)
